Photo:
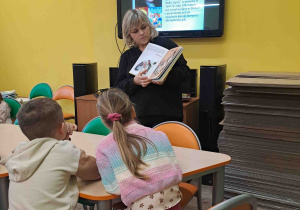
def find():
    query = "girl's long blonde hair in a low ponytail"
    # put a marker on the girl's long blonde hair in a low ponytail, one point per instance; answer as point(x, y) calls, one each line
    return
point(132, 147)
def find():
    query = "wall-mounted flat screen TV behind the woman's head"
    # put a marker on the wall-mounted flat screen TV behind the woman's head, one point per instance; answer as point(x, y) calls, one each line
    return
point(179, 18)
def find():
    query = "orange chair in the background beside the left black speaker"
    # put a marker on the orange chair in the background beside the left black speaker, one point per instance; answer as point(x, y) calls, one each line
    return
point(65, 92)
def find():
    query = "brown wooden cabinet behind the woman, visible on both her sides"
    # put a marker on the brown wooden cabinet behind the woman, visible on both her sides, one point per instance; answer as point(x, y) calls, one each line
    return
point(86, 110)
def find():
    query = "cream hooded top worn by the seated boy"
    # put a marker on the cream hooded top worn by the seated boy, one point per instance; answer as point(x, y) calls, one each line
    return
point(41, 175)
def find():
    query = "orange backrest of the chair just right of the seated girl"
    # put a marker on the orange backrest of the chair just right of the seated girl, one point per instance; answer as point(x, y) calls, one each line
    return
point(179, 134)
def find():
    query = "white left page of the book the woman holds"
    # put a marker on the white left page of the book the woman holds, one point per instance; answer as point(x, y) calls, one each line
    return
point(149, 59)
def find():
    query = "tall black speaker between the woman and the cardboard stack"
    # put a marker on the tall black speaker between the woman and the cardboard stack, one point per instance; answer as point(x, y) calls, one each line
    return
point(211, 111)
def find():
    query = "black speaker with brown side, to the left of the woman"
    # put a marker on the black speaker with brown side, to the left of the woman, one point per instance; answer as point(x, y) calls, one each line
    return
point(85, 80)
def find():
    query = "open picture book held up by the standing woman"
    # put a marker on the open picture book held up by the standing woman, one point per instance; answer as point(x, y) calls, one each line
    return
point(157, 60)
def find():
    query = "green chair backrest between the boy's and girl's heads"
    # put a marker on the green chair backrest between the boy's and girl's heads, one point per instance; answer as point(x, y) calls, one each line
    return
point(96, 126)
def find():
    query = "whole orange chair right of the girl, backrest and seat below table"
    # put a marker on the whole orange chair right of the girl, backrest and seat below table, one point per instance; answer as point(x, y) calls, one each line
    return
point(181, 135)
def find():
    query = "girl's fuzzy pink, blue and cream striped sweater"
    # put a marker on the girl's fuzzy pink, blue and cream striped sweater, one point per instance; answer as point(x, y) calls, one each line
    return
point(163, 169)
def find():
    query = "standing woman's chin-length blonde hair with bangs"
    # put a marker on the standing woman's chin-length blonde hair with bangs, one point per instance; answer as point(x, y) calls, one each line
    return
point(132, 18)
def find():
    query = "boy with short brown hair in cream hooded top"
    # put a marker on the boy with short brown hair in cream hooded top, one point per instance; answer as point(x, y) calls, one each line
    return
point(43, 170)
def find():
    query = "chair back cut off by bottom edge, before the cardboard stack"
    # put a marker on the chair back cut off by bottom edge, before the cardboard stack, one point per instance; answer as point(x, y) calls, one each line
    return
point(240, 202)
